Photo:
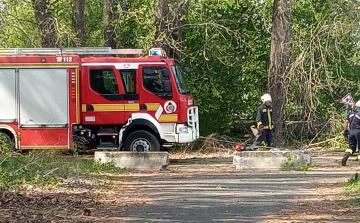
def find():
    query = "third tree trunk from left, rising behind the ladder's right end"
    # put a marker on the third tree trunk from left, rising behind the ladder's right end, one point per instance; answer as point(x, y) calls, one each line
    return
point(110, 9)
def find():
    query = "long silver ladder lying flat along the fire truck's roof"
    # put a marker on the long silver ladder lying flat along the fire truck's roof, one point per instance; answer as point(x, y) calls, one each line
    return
point(76, 51)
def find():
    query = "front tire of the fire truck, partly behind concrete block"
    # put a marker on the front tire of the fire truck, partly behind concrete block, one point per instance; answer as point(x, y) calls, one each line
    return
point(141, 141)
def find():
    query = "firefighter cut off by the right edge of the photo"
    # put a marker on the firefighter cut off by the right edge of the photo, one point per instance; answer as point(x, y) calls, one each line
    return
point(352, 132)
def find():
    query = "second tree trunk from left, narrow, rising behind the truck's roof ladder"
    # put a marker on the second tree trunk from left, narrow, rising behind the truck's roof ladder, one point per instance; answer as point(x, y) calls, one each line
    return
point(78, 22)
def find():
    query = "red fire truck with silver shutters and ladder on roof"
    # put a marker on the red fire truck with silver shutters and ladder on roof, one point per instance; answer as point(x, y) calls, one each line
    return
point(55, 98)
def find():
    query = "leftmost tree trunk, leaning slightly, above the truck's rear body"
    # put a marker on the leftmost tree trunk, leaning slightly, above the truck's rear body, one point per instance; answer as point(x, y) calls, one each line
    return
point(46, 24)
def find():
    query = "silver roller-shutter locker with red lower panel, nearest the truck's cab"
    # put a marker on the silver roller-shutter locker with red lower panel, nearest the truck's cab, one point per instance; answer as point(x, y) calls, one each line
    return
point(44, 108)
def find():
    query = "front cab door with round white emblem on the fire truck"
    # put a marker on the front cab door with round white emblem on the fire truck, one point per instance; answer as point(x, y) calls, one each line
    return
point(158, 95)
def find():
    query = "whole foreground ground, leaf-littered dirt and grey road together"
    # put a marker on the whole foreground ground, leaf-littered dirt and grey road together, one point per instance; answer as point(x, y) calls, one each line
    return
point(195, 188)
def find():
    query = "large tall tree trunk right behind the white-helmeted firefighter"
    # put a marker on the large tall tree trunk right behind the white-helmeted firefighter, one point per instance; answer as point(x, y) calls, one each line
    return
point(279, 62)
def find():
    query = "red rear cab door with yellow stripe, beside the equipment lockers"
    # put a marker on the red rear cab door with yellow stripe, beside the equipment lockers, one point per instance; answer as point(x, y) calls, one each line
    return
point(102, 96)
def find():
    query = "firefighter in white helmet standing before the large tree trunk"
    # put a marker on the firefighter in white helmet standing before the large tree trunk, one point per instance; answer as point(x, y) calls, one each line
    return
point(265, 122)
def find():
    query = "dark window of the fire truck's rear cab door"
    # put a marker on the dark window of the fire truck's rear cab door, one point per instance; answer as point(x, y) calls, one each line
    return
point(103, 81)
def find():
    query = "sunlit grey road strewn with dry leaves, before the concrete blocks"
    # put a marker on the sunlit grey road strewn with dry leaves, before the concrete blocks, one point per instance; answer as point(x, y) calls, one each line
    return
point(200, 190)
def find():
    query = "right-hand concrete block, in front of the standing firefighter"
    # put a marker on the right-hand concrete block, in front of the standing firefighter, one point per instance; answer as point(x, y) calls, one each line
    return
point(271, 159)
